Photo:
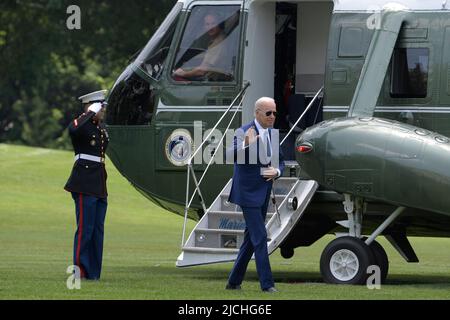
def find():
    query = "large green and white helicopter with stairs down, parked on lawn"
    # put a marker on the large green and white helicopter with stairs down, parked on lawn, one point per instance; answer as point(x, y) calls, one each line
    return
point(363, 100)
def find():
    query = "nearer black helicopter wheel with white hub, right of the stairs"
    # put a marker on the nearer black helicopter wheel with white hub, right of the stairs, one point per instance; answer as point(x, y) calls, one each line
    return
point(345, 261)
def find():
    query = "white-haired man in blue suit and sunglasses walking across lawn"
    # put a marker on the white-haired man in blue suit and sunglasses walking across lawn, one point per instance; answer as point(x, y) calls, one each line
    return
point(257, 162)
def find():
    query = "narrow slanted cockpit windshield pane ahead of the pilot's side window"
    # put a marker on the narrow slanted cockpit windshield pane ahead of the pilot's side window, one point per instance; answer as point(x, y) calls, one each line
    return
point(151, 59)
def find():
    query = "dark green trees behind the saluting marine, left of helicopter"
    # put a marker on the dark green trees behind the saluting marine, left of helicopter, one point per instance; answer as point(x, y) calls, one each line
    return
point(45, 66)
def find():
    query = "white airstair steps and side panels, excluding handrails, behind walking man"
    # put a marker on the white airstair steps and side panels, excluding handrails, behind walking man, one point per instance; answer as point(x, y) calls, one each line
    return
point(219, 234)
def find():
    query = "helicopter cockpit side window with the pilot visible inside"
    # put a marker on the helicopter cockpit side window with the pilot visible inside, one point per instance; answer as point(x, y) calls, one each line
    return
point(210, 45)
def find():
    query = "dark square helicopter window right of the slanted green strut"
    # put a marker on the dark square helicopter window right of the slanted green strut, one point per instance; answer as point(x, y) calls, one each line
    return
point(409, 76)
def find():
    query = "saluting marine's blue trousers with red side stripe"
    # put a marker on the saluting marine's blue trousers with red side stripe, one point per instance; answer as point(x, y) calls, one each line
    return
point(88, 244)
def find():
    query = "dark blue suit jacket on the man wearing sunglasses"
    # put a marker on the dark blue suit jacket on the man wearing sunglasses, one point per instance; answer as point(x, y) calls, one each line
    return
point(249, 188)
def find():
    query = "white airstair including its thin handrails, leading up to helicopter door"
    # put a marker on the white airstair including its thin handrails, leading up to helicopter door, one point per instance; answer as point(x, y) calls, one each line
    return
point(219, 234)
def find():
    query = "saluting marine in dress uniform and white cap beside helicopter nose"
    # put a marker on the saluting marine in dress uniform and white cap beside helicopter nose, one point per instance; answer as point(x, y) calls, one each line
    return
point(87, 183)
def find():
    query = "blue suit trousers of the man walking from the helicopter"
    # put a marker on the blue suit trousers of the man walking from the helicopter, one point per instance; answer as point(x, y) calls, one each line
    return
point(255, 241)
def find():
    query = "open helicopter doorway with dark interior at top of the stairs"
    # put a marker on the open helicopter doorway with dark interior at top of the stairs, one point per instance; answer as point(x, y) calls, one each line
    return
point(300, 58)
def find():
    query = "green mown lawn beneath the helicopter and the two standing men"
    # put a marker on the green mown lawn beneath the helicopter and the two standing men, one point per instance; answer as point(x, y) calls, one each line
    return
point(142, 242)
